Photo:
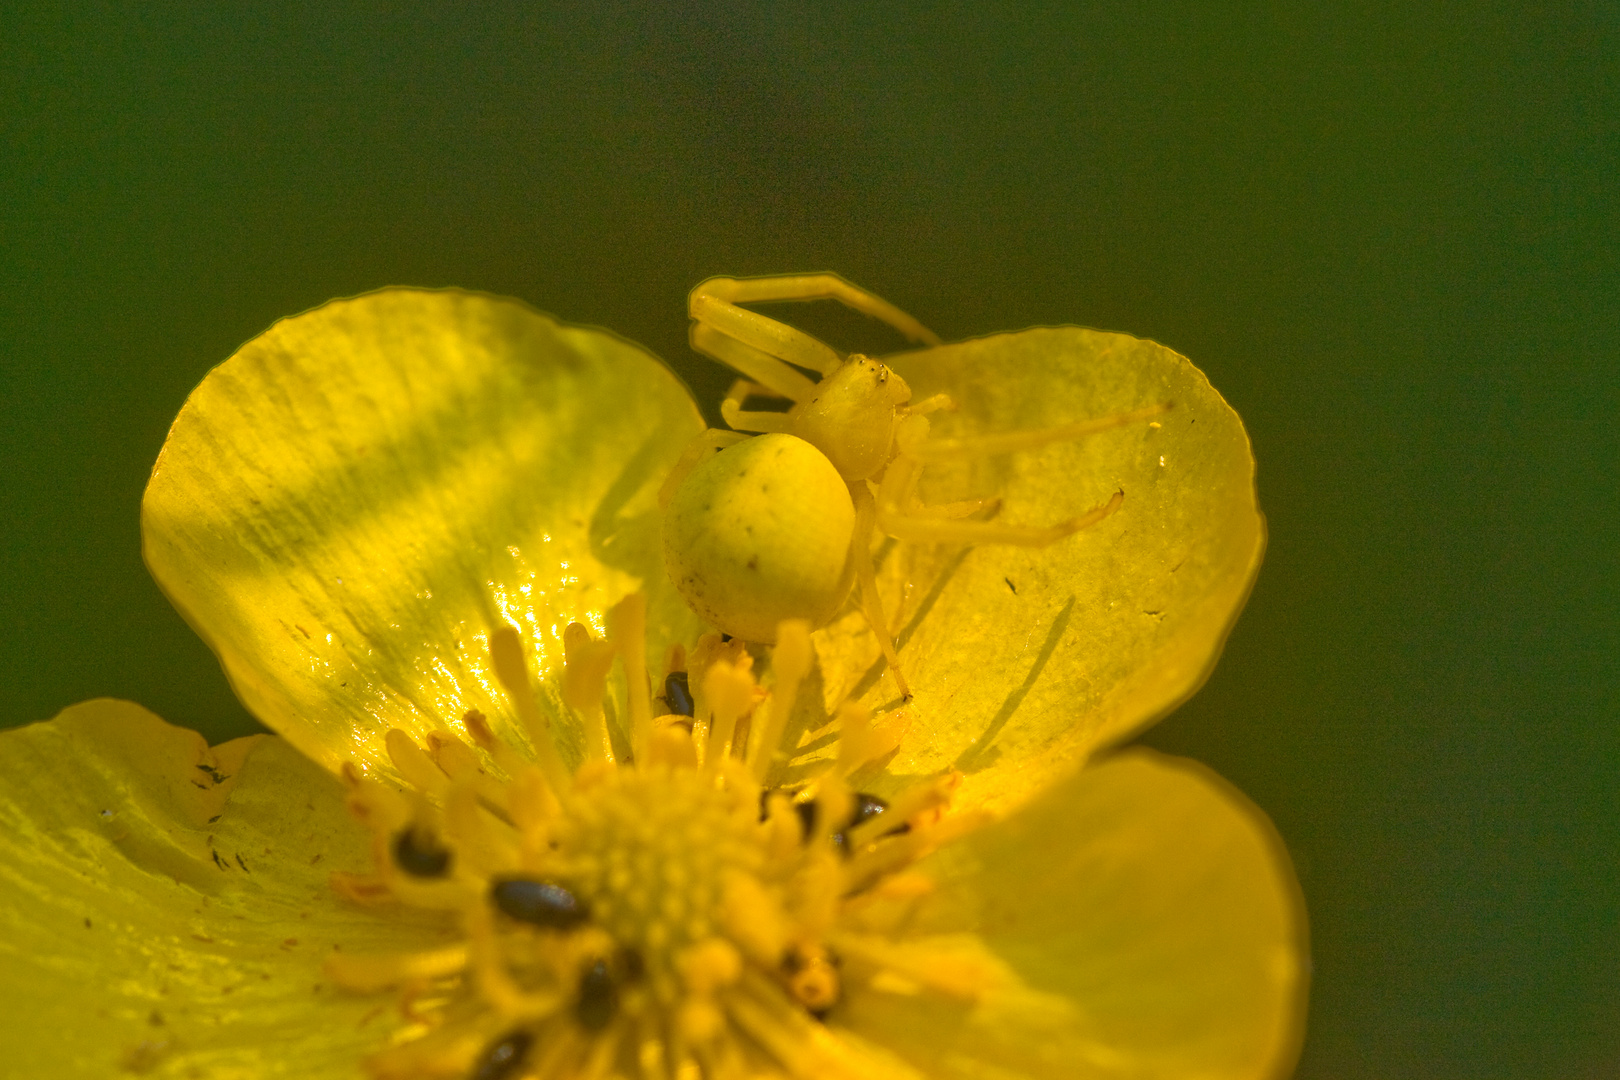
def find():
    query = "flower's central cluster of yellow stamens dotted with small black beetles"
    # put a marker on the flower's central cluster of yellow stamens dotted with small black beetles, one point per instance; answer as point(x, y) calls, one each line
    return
point(665, 917)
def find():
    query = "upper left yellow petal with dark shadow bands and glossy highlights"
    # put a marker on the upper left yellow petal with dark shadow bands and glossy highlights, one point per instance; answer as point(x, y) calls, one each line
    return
point(347, 506)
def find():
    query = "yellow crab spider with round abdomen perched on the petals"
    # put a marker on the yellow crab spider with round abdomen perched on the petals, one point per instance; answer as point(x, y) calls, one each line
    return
point(778, 524)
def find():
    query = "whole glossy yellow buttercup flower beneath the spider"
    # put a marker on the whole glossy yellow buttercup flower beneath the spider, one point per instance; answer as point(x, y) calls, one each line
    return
point(419, 525)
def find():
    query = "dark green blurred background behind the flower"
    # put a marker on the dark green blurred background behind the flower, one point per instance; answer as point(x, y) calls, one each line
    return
point(1388, 232)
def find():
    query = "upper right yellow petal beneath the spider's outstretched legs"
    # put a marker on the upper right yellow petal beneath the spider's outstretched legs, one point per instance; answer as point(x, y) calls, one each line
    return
point(1026, 660)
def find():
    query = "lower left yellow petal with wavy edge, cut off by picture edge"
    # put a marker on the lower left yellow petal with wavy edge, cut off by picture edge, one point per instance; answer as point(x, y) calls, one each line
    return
point(166, 909)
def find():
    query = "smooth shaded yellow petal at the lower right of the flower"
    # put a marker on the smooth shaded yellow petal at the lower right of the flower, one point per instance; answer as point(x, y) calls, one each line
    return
point(1143, 921)
